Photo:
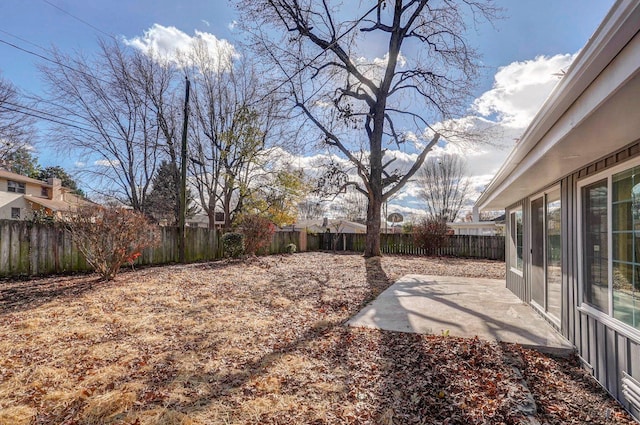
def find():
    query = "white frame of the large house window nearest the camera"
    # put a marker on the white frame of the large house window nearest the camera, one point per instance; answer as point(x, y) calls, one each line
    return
point(605, 318)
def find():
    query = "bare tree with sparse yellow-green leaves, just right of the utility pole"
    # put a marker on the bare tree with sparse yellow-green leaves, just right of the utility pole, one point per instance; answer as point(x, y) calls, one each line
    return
point(231, 134)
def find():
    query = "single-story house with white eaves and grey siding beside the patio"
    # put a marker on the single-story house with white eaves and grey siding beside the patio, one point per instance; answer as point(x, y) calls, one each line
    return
point(571, 189)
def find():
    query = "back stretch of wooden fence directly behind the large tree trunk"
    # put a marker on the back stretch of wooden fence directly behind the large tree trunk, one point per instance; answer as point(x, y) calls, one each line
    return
point(472, 246)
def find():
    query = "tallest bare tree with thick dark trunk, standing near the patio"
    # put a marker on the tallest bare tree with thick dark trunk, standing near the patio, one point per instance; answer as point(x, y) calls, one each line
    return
point(319, 52)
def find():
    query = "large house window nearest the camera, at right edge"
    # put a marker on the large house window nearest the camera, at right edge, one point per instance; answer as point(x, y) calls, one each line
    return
point(611, 244)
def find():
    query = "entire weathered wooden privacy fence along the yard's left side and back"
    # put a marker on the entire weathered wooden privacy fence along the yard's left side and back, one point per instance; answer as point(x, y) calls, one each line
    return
point(28, 249)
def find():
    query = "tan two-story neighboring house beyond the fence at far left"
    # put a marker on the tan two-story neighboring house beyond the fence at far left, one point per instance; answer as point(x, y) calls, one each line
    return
point(21, 197)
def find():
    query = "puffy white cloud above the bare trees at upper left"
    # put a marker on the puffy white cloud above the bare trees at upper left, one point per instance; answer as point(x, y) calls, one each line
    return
point(175, 46)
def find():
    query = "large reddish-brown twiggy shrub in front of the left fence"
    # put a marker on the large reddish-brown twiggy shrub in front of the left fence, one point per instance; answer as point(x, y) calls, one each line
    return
point(109, 237)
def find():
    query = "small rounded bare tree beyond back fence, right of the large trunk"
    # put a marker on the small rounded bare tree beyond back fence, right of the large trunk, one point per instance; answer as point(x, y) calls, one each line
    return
point(443, 186)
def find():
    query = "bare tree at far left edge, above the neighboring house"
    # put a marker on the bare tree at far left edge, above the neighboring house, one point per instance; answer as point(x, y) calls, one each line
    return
point(16, 126)
